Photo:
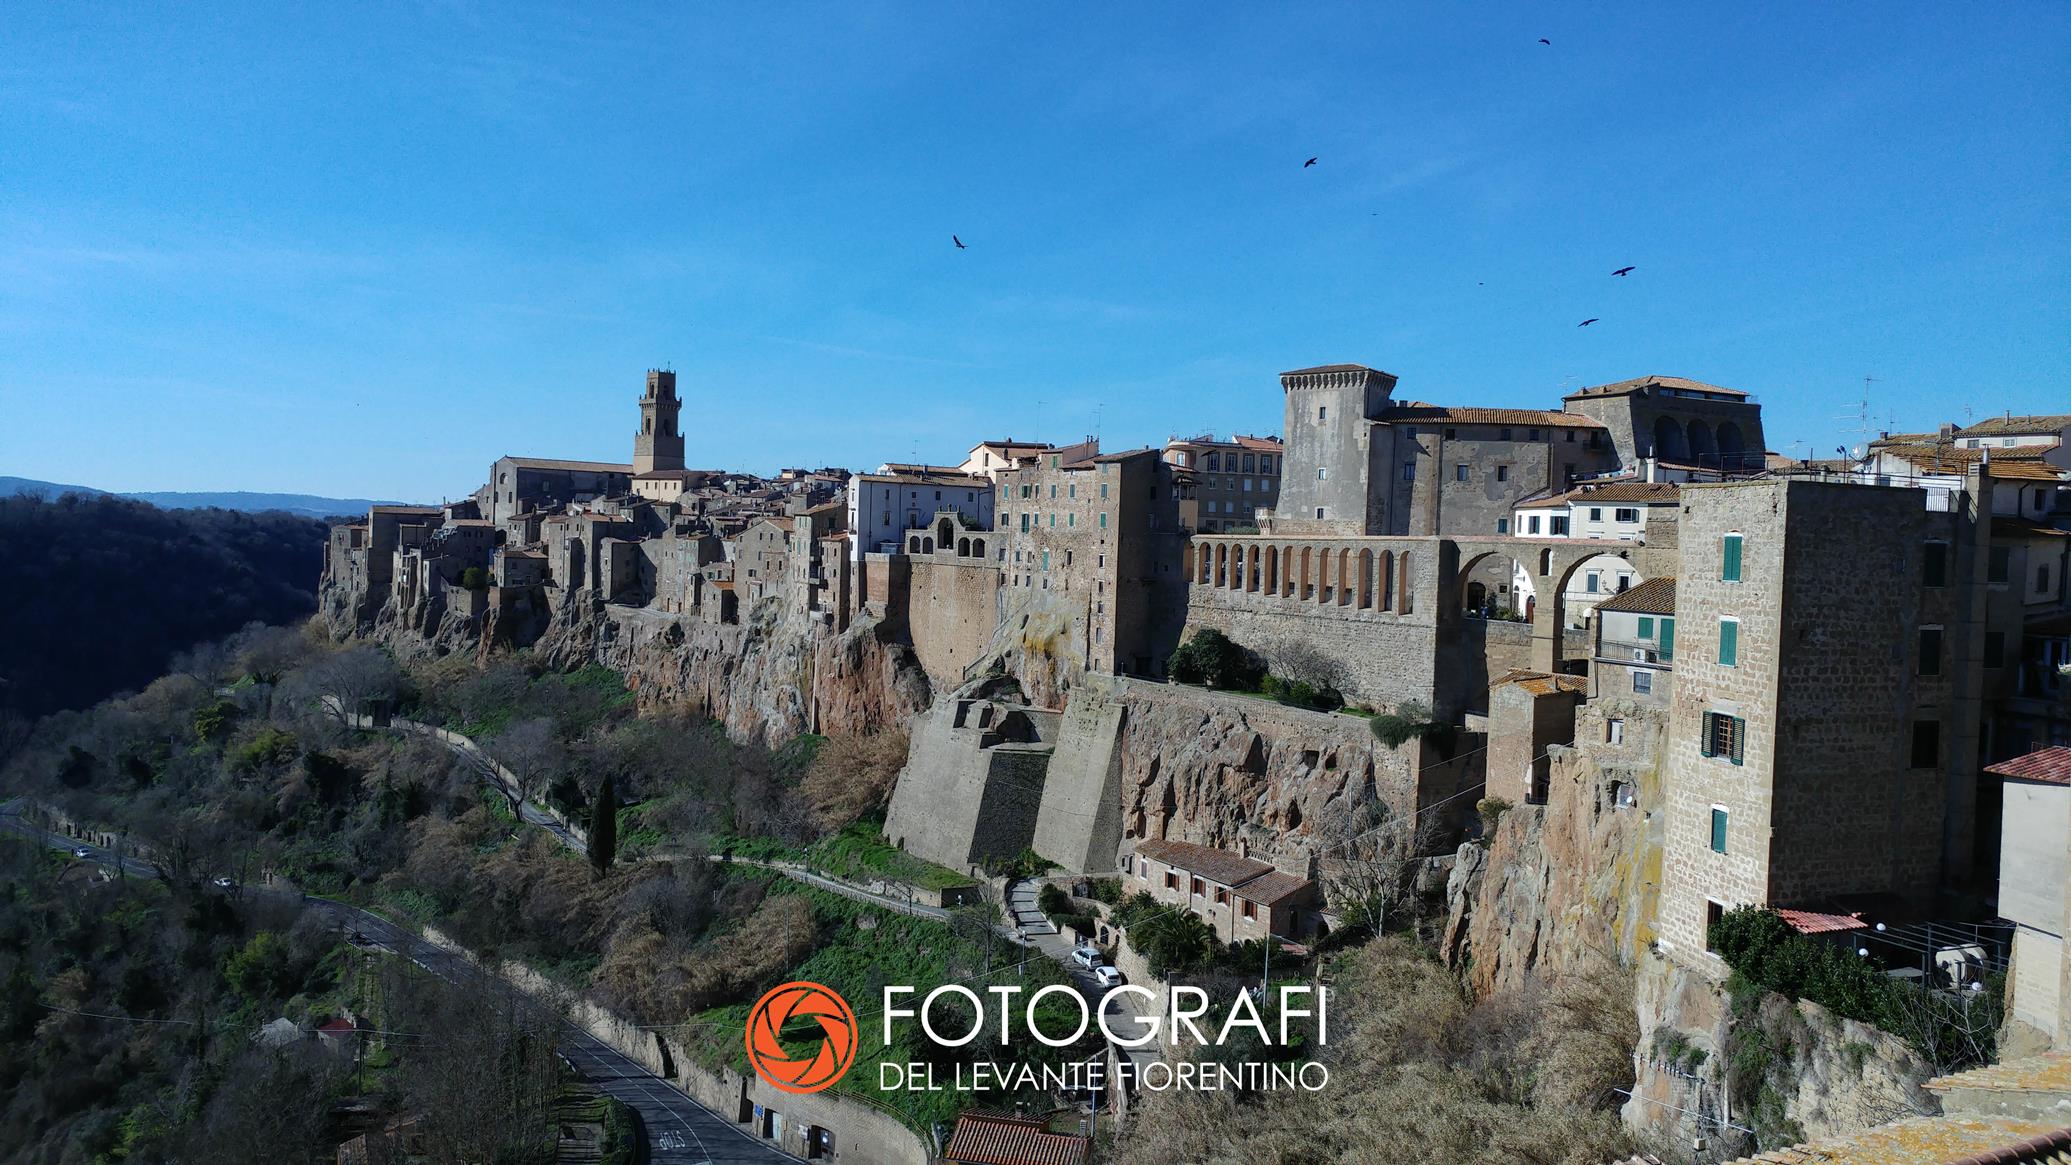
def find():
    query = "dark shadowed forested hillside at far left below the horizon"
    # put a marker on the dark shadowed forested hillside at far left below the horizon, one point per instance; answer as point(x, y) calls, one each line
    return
point(105, 593)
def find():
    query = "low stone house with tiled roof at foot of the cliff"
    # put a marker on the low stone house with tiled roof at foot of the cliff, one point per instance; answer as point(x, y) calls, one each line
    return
point(1242, 899)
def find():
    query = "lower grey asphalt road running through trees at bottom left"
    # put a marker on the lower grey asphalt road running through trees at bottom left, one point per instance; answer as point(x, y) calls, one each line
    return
point(678, 1129)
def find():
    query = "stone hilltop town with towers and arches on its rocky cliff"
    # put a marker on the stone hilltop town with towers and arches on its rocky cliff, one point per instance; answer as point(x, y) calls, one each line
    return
point(1592, 676)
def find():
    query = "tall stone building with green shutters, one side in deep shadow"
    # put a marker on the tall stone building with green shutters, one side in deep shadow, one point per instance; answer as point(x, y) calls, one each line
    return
point(1824, 721)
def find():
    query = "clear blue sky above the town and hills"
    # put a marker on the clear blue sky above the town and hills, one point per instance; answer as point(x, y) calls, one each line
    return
point(372, 249)
